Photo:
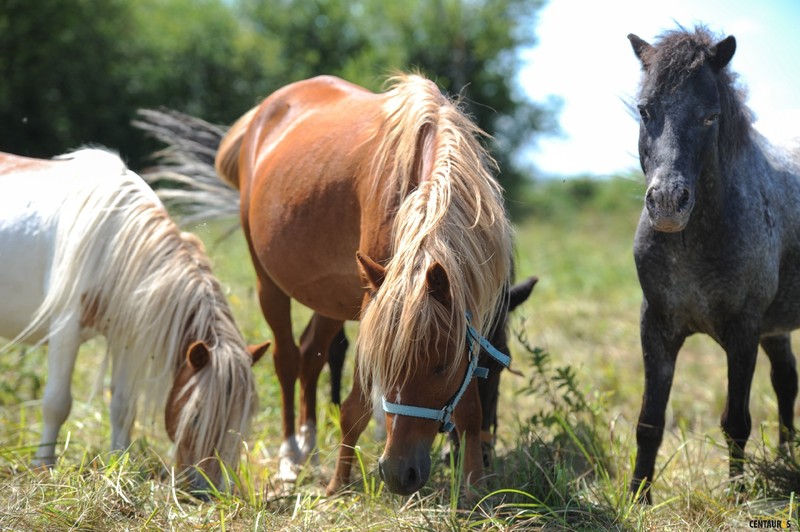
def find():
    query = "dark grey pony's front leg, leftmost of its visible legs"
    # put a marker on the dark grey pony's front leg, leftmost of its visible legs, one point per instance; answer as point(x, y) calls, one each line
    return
point(660, 348)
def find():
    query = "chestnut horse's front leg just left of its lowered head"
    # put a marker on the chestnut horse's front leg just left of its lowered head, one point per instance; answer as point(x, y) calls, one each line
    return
point(354, 419)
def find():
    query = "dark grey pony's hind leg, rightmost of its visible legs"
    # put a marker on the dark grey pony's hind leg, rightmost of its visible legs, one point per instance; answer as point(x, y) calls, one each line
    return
point(784, 380)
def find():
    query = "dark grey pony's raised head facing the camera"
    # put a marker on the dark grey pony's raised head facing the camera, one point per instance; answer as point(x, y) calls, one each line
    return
point(680, 105)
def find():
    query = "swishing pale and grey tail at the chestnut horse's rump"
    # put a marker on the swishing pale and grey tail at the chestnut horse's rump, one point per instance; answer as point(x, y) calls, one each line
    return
point(184, 176)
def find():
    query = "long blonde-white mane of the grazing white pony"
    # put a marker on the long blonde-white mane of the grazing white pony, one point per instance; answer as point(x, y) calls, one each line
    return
point(125, 270)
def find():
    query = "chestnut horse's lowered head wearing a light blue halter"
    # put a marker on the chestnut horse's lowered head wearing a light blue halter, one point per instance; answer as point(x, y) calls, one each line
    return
point(418, 405)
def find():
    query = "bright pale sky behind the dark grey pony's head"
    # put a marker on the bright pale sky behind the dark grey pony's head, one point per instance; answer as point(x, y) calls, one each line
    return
point(584, 58)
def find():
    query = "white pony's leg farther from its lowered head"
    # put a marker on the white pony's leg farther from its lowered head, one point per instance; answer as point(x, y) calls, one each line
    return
point(57, 402)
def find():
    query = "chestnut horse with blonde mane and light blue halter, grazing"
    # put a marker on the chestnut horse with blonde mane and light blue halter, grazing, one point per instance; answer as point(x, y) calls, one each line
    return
point(378, 207)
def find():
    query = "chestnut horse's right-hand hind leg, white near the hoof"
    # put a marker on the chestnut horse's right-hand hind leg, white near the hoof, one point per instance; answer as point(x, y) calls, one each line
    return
point(314, 343)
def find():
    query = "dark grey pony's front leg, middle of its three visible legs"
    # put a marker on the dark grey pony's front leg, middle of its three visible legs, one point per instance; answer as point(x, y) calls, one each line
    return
point(740, 341)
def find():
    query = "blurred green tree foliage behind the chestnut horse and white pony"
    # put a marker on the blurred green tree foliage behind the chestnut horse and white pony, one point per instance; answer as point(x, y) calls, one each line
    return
point(75, 71)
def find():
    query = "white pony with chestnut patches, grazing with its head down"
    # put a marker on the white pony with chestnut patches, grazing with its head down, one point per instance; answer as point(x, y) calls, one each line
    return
point(87, 248)
